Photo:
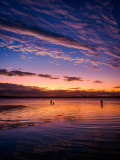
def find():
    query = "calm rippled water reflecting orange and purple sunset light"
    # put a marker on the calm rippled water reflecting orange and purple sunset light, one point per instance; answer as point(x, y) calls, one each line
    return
point(70, 129)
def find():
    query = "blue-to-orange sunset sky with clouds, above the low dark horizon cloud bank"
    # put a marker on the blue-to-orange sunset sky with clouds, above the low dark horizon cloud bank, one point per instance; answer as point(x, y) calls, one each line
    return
point(60, 44)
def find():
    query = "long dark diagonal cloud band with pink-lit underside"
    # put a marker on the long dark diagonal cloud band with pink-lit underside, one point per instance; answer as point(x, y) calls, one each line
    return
point(51, 37)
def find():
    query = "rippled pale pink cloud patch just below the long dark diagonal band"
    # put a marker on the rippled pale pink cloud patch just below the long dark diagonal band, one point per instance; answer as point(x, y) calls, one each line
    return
point(32, 47)
